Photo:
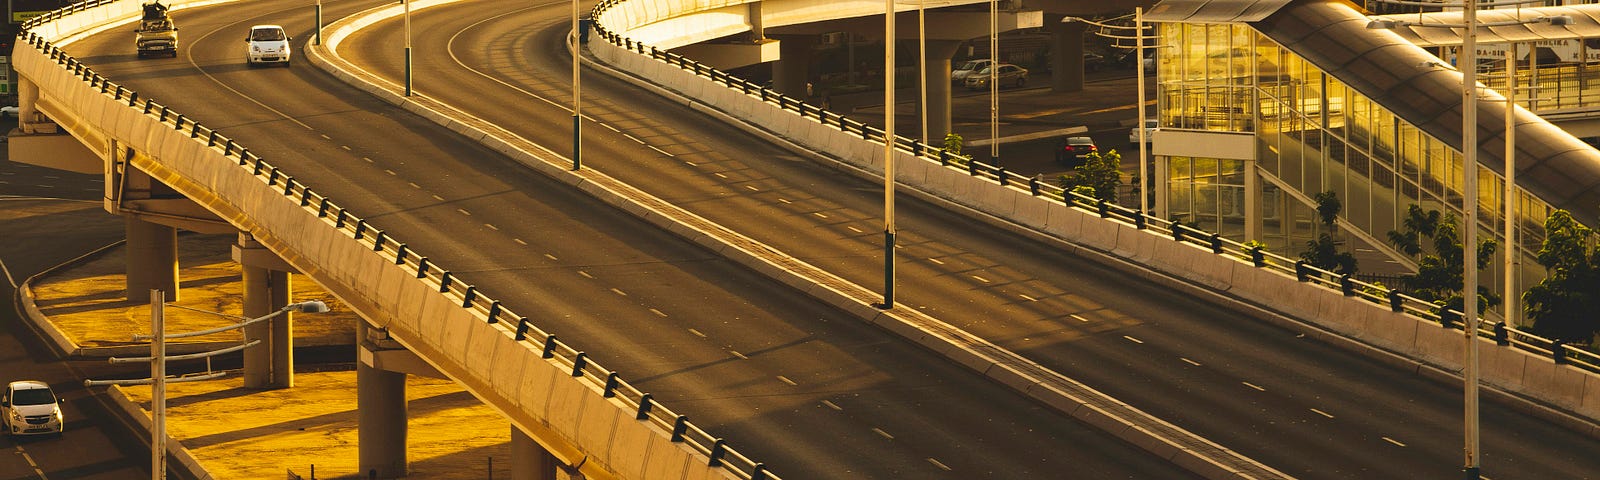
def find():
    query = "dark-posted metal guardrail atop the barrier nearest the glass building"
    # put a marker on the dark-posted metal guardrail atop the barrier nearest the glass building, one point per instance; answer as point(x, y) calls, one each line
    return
point(1398, 302)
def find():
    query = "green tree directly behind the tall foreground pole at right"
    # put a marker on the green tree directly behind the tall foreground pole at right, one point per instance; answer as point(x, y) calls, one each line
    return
point(1441, 271)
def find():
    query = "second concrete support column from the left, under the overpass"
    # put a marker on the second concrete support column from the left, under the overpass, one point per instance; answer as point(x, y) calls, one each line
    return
point(270, 366)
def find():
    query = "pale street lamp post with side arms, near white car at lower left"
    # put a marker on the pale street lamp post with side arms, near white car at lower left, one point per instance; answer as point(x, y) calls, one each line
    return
point(159, 366)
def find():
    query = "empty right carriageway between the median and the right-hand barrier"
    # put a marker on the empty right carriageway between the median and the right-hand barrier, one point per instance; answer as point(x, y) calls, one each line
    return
point(1303, 407)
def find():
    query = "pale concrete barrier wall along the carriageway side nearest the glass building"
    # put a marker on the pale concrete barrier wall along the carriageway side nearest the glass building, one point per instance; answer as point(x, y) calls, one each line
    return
point(1566, 388)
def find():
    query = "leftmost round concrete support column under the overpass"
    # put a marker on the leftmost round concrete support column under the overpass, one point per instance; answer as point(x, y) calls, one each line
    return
point(151, 262)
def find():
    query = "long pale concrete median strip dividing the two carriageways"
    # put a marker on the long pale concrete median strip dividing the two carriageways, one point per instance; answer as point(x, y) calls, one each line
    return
point(1006, 367)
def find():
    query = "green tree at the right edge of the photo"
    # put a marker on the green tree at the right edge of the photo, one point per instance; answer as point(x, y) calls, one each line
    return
point(1564, 306)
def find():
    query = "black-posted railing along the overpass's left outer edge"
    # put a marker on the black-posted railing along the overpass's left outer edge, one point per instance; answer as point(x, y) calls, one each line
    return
point(719, 460)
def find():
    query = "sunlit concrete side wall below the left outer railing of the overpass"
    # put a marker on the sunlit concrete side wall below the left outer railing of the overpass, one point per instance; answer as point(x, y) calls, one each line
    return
point(567, 415)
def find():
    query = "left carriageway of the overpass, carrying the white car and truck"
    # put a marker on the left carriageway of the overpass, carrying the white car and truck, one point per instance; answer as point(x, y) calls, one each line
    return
point(788, 382)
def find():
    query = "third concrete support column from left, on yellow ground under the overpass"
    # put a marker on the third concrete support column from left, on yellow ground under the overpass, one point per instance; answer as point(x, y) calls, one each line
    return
point(382, 418)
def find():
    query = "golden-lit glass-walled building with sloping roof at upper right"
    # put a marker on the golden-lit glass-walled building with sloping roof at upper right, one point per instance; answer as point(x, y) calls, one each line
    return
point(1308, 134)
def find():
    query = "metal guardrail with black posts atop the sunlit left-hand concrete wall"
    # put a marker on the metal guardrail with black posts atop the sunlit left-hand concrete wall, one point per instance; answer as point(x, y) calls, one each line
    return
point(463, 294)
